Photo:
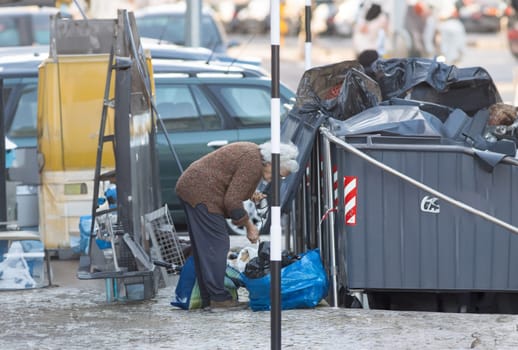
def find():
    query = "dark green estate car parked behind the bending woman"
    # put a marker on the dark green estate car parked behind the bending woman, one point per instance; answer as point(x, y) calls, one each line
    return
point(203, 106)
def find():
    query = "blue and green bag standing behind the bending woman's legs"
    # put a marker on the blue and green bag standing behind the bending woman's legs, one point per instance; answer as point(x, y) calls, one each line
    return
point(187, 292)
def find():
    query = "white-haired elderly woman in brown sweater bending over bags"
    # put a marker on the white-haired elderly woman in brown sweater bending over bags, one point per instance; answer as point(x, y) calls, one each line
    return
point(212, 189)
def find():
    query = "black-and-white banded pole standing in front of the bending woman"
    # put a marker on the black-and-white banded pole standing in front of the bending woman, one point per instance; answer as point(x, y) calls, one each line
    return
point(275, 231)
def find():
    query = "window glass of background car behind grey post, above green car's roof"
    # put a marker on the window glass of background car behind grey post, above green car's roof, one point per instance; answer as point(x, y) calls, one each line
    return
point(171, 28)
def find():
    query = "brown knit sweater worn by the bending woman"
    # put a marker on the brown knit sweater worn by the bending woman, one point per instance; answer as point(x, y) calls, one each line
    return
point(223, 179)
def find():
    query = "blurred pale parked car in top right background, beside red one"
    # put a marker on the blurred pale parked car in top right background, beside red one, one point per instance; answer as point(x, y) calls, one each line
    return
point(482, 15)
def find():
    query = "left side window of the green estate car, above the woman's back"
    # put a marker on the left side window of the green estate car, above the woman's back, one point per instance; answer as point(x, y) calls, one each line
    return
point(184, 108)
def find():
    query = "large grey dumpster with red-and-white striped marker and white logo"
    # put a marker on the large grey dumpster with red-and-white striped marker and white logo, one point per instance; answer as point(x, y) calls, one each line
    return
point(406, 239)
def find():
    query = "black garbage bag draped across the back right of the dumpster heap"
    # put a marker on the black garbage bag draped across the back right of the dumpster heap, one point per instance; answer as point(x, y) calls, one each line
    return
point(422, 79)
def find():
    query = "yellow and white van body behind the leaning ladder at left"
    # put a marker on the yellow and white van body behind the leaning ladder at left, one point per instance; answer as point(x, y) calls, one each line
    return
point(70, 102)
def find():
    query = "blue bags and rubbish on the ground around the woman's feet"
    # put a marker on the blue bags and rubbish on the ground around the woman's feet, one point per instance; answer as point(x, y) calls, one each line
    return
point(304, 282)
